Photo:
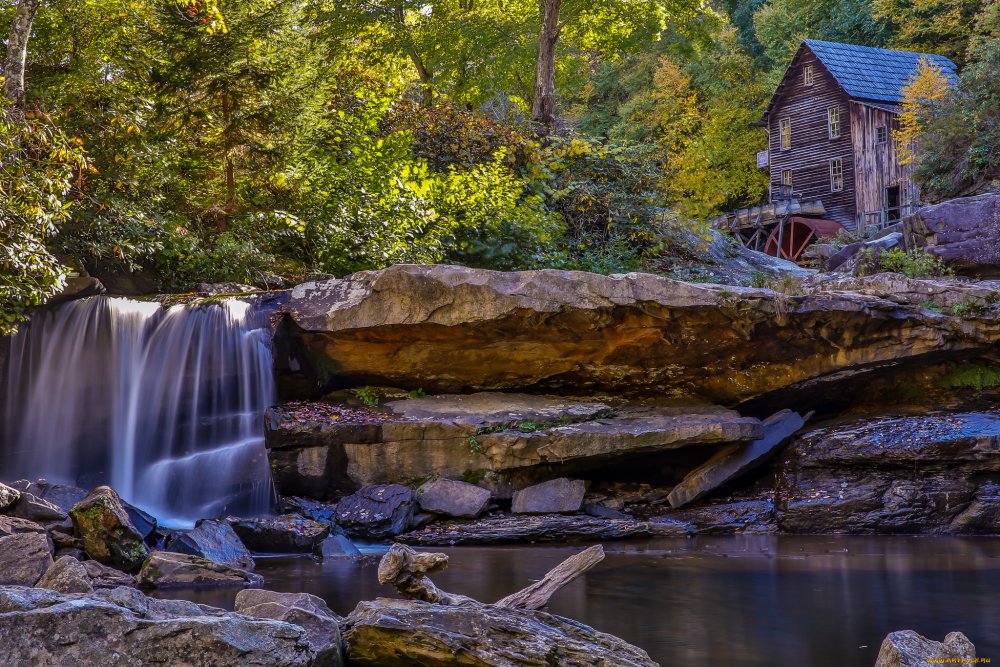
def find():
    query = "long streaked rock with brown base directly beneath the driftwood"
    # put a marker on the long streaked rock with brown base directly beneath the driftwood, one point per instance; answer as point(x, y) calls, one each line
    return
point(395, 632)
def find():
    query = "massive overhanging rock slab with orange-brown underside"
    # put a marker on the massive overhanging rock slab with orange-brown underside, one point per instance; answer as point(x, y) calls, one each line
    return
point(457, 329)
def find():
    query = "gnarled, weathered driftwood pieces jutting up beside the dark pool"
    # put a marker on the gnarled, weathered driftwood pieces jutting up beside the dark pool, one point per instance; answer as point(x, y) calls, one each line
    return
point(407, 569)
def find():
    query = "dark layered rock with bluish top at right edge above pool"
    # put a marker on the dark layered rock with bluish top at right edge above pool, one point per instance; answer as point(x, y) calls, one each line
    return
point(937, 473)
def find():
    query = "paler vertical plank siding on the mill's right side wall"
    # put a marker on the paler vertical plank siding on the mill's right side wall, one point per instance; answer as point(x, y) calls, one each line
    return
point(877, 165)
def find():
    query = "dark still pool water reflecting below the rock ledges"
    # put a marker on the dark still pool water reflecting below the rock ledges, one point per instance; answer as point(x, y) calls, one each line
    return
point(741, 601)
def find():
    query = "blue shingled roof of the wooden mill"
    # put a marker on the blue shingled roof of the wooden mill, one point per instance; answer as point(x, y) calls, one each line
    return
point(874, 74)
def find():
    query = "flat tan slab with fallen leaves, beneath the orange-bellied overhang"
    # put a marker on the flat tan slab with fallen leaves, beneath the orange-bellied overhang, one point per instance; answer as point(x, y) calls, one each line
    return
point(502, 442)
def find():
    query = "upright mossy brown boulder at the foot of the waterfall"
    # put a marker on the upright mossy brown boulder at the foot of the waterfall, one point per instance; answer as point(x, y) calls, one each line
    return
point(108, 535)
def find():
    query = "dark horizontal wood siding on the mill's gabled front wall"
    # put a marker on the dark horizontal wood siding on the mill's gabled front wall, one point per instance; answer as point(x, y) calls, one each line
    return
point(812, 149)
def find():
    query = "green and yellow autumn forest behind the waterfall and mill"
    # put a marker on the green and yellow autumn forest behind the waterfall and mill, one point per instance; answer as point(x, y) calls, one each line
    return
point(261, 141)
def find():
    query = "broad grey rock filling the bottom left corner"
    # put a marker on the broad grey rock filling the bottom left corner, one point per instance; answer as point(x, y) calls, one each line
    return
point(122, 626)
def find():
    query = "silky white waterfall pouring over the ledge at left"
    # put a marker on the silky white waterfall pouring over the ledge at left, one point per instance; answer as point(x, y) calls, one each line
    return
point(163, 404)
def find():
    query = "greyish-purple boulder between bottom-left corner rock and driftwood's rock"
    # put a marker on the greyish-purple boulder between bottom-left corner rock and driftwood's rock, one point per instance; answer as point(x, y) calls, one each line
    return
point(307, 611)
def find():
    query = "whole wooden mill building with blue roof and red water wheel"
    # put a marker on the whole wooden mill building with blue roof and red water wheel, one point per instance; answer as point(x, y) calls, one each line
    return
point(831, 151)
